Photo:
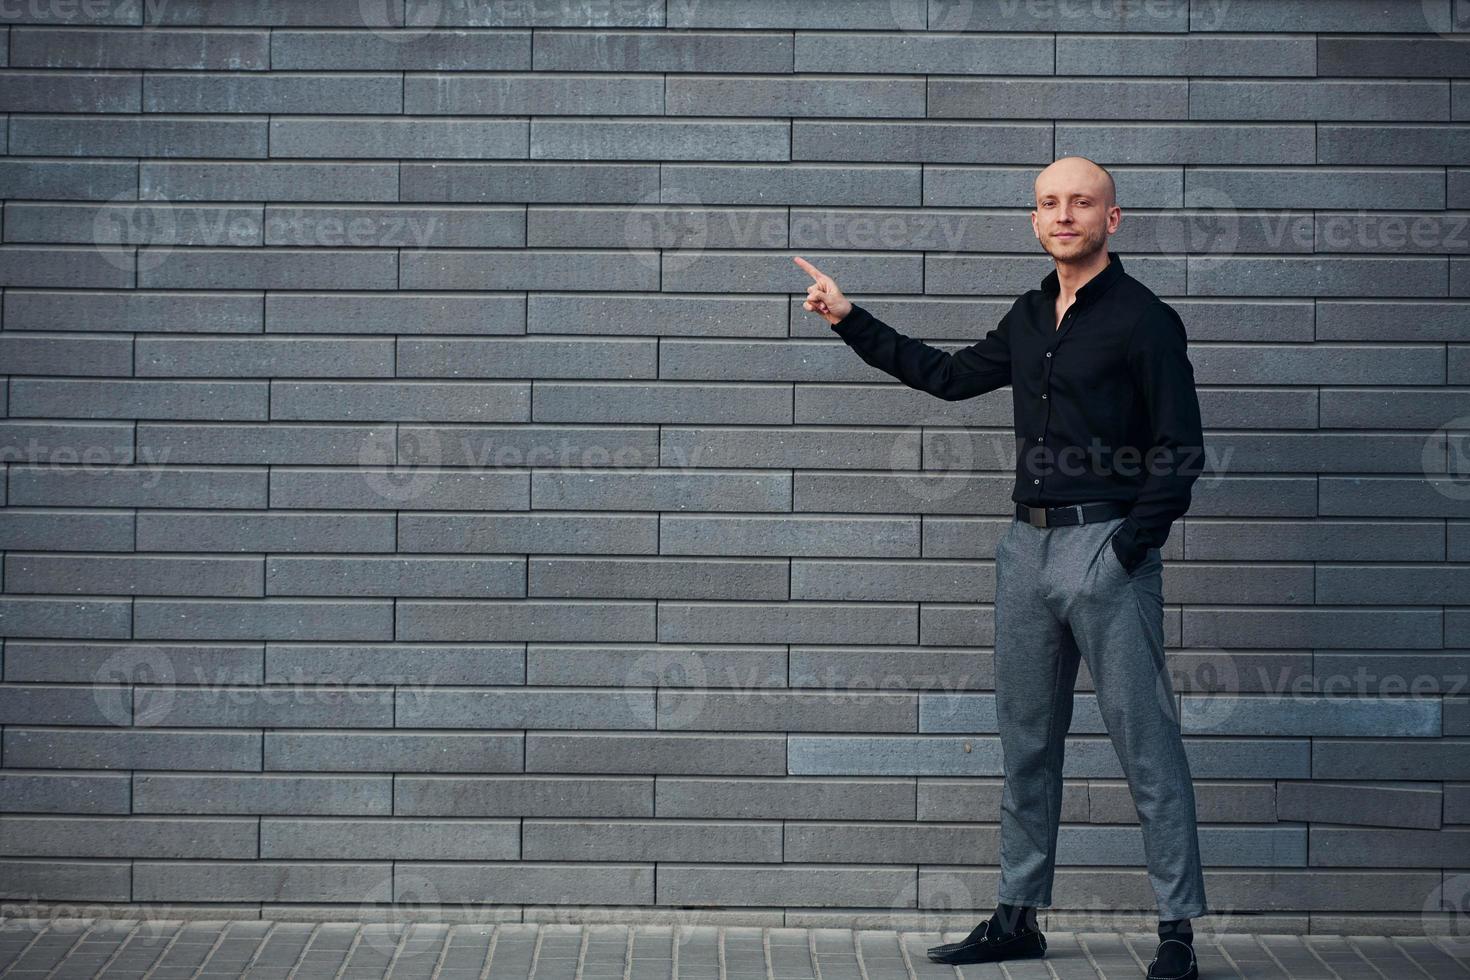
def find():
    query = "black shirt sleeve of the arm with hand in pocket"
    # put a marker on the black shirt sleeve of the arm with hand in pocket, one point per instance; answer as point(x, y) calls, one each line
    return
point(1172, 464)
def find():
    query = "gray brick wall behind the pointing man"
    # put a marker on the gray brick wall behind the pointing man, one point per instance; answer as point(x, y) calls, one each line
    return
point(423, 484)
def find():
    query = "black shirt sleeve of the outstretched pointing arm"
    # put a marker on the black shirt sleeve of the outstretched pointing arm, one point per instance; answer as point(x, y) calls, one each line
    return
point(974, 371)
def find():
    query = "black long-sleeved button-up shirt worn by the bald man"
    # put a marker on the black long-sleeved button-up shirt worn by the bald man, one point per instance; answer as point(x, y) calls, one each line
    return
point(1105, 405)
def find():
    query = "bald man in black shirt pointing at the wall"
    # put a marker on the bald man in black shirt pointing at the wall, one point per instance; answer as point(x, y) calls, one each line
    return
point(1109, 446)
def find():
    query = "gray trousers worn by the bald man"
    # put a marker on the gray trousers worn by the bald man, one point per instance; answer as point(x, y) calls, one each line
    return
point(1062, 594)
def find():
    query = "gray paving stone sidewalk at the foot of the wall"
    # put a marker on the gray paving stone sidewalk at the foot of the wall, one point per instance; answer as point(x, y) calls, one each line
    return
point(177, 950)
